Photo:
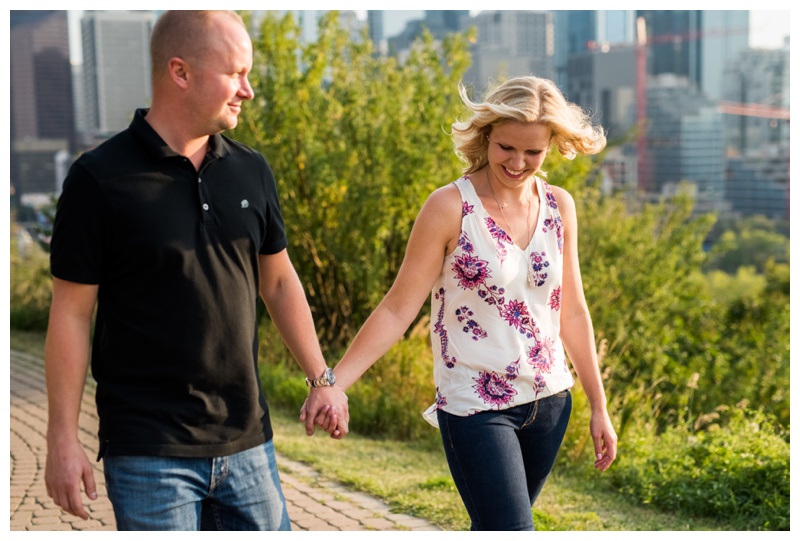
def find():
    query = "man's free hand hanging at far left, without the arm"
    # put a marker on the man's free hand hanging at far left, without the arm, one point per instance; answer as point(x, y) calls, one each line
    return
point(67, 467)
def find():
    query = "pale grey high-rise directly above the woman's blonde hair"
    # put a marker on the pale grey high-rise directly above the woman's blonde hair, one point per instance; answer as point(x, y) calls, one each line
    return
point(512, 43)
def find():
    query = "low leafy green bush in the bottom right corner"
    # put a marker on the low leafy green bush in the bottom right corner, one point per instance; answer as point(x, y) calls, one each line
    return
point(739, 470)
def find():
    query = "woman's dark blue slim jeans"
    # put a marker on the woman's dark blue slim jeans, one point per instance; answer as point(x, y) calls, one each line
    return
point(500, 460)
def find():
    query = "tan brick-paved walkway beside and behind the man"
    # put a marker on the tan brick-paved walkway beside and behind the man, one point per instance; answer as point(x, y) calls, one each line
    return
point(314, 503)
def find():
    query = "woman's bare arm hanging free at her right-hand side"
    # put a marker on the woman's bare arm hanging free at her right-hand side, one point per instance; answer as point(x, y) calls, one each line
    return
point(577, 334)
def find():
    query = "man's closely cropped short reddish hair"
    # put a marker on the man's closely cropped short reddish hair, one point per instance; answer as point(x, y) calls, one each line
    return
point(181, 33)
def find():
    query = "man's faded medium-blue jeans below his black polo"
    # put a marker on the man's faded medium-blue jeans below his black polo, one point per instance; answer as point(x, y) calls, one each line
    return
point(237, 492)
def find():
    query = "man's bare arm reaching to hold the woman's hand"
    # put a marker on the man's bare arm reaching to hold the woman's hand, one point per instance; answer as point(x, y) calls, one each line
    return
point(288, 307)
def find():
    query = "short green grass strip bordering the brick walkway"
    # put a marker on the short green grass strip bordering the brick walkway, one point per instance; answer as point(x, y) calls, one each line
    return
point(413, 478)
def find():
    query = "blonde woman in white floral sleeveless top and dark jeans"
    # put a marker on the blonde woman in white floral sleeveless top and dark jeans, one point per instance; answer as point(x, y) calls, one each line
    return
point(497, 251)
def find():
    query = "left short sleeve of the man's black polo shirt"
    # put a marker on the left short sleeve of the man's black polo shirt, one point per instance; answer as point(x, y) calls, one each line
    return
point(78, 243)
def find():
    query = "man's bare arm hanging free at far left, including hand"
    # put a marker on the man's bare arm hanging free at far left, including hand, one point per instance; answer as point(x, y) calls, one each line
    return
point(66, 357)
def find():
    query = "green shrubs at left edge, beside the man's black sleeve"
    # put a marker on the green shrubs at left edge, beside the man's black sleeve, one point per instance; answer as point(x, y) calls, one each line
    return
point(30, 282)
